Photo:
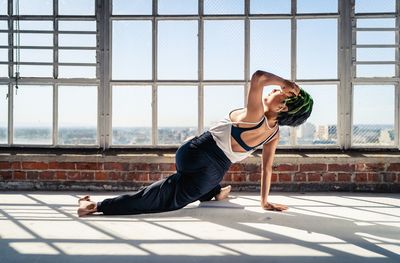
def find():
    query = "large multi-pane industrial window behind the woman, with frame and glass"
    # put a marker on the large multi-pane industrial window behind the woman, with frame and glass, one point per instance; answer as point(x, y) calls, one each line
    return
point(150, 73)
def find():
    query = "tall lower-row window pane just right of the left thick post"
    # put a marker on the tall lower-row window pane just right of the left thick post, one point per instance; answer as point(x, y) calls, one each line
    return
point(131, 115)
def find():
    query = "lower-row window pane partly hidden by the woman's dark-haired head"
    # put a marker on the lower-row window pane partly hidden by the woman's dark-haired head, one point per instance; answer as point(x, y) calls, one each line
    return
point(321, 126)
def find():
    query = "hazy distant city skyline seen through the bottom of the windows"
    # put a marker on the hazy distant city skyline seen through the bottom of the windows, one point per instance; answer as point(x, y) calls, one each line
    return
point(308, 134)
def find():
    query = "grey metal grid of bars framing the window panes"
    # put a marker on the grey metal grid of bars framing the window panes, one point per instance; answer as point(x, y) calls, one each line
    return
point(103, 16)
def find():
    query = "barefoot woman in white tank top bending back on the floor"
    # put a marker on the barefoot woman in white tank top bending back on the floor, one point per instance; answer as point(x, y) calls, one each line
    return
point(202, 161)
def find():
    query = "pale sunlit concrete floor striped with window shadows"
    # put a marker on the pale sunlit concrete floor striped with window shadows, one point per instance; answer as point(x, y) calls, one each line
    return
point(323, 227)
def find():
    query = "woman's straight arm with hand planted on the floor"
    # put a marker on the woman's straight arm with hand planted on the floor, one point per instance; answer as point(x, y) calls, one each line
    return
point(268, 156)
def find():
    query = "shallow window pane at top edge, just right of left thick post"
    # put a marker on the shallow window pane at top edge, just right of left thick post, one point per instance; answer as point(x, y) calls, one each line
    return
point(129, 7)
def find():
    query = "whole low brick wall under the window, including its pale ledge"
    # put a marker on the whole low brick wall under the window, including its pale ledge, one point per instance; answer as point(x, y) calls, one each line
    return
point(380, 173)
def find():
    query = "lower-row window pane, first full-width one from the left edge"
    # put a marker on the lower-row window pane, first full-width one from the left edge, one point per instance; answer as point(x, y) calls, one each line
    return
point(33, 114)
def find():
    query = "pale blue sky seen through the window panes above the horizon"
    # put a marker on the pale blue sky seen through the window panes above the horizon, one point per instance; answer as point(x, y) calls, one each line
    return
point(178, 58)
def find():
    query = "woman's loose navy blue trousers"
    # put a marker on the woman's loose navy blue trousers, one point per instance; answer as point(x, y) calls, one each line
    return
point(200, 166)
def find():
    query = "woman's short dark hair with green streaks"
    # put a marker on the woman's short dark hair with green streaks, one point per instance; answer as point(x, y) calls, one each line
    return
point(299, 109)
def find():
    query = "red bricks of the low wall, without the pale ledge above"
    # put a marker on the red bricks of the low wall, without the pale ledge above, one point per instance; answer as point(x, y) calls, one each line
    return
point(371, 176)
